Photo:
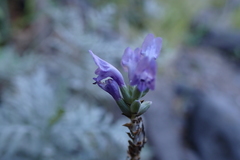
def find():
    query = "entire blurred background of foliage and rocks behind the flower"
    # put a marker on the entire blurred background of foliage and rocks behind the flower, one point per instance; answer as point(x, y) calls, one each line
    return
point(50, 110)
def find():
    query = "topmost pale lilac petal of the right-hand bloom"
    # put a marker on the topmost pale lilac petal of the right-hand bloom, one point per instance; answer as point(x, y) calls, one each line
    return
point(151, 46)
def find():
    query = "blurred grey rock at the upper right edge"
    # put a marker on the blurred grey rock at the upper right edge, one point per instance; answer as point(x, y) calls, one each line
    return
point(212, 28)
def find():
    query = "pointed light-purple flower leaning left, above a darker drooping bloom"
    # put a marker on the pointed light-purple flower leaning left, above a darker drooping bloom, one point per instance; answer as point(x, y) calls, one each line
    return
point(106, 70)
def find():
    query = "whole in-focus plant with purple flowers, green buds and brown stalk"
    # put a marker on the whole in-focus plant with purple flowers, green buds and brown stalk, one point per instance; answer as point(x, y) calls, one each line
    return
point(142, 68)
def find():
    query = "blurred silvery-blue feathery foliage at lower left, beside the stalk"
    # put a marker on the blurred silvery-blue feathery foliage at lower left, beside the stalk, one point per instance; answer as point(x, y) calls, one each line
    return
point(81, 131)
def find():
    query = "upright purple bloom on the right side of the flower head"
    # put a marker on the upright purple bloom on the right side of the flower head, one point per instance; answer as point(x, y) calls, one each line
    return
point(141, 63)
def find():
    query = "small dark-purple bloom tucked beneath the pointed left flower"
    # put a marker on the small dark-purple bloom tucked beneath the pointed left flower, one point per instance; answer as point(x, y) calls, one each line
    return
point(111, 87)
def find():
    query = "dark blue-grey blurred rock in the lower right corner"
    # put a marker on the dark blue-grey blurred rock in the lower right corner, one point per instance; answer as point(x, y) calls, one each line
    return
point(211, 129)
